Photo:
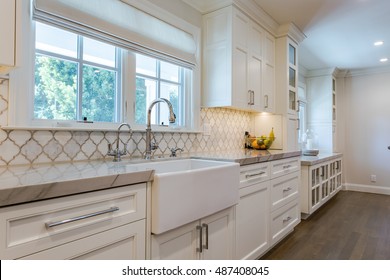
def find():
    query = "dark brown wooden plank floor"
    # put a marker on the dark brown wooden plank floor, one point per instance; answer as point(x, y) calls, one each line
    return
point(352, 225)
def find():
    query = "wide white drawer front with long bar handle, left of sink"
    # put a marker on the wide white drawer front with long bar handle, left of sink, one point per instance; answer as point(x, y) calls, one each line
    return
point(37, 226)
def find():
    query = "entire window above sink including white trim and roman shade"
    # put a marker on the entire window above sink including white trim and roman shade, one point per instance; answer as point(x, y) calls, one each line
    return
point(73, 70)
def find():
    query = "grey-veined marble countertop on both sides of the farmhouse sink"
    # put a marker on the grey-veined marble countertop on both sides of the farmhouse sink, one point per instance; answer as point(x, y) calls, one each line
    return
point(27, 183)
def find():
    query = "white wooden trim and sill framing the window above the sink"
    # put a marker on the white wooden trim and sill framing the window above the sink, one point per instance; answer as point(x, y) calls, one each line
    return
point(20, 114)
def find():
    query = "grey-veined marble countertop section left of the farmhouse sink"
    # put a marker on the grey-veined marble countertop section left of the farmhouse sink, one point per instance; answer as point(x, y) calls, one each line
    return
point(26, 183)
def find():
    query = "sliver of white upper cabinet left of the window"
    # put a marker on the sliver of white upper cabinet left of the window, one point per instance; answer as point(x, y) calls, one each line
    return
point(7, 35)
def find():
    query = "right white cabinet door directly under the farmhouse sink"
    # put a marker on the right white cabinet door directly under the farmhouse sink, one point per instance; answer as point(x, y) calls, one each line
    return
point(218, 237)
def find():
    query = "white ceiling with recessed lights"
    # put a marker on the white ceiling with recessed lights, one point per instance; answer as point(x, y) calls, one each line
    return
point(339, 33)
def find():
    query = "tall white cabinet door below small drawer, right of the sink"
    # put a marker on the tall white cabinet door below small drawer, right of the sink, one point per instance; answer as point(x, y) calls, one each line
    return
point(252, 228)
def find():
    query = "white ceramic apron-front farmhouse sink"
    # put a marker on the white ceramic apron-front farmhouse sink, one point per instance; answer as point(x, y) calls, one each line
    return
point(185, 190)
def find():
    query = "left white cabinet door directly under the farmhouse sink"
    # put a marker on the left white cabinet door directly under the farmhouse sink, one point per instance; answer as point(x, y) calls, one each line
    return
point(178, 244)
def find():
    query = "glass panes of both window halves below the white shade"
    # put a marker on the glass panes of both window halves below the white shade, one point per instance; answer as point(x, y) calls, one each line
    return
point(78, 78)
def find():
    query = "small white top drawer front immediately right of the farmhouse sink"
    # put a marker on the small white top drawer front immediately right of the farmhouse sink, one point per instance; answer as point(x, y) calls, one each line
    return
point(254, 173)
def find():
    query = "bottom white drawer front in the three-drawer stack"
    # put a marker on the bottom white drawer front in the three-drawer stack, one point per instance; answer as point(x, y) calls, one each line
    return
point(284, 220)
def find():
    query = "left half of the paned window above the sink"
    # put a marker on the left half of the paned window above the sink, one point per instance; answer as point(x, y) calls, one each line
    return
point(76, 77)
